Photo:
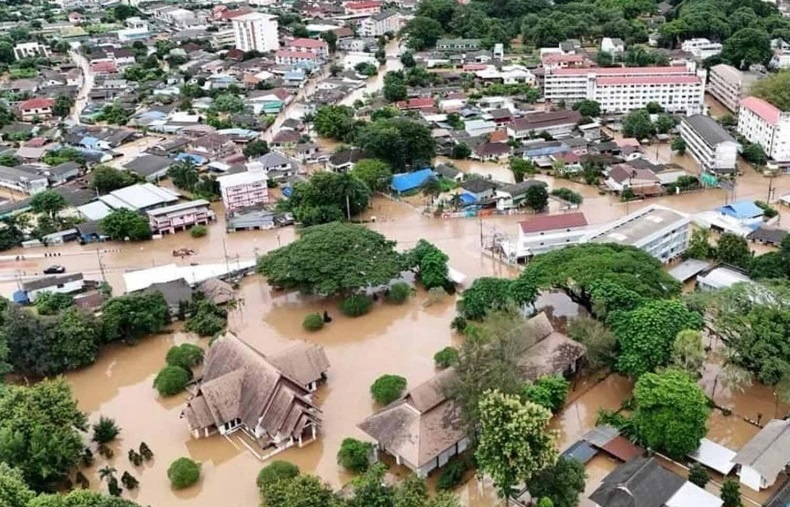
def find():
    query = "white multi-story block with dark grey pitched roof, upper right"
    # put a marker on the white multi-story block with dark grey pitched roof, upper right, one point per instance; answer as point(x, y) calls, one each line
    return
point(709, 143)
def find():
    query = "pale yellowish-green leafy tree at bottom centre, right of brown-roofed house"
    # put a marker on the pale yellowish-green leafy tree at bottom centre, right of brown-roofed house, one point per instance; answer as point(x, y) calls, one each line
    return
point(513, 441)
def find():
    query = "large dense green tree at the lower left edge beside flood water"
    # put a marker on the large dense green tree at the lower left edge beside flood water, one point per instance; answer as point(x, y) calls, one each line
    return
point(40, 432)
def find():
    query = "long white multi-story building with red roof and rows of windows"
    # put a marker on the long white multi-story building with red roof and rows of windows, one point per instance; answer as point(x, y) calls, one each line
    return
point(679, 88)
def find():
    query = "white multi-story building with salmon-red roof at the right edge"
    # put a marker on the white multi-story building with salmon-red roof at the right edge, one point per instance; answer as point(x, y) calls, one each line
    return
point(763, 123)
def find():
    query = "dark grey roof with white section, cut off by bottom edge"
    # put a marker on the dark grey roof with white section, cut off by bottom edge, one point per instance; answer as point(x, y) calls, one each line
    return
point(643, 482)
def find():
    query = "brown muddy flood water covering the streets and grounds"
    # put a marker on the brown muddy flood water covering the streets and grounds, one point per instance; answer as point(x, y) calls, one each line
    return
point(392, 339)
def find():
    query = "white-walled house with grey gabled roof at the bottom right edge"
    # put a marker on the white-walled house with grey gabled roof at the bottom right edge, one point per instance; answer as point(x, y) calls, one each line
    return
point(765, 456)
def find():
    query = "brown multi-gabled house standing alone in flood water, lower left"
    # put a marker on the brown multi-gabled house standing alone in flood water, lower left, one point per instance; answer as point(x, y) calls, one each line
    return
point(241, 389)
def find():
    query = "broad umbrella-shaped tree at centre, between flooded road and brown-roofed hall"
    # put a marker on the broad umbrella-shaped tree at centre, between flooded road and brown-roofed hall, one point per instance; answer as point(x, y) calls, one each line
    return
point(335, 258)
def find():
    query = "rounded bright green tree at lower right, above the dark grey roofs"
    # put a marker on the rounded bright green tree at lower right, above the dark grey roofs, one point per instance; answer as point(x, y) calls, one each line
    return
point(671, 412)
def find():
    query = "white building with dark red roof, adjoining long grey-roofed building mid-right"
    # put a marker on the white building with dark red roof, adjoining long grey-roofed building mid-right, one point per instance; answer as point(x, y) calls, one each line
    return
point(544, 233)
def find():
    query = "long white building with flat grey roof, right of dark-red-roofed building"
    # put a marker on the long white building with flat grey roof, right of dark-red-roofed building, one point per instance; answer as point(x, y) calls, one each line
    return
point(659, 231)
